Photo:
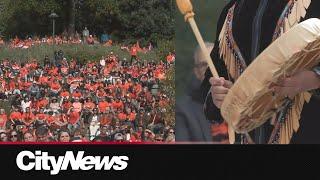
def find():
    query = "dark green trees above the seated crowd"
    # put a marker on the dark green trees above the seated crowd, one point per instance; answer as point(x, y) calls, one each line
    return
point(124, 20)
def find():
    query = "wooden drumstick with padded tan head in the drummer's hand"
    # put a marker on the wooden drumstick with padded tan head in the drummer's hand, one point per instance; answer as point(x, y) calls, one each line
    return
point(186, 9)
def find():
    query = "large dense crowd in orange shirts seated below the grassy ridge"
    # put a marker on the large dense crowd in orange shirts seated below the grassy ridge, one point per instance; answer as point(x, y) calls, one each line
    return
point(66, 100)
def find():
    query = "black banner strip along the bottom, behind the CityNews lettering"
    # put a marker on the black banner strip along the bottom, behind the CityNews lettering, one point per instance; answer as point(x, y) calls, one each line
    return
point(163, 162)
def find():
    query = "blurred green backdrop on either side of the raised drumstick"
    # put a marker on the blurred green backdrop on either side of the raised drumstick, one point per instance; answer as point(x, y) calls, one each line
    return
point(206, 15)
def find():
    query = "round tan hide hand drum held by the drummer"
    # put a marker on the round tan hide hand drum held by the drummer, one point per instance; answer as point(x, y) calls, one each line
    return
point(250, 103)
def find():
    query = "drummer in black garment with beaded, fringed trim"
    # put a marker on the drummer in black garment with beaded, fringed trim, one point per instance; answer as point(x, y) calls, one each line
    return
point(245, 28)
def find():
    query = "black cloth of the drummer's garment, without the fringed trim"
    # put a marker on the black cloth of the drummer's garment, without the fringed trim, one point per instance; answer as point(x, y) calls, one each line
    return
point(246, 21)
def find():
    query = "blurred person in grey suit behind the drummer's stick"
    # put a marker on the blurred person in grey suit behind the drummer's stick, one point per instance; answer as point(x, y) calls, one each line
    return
point(191, 124)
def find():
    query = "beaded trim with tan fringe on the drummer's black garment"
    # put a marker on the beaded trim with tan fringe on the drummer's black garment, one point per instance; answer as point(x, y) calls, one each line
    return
point(235, 63)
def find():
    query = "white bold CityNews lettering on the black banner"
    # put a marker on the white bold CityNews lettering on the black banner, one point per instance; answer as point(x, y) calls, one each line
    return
point(42, 161)
